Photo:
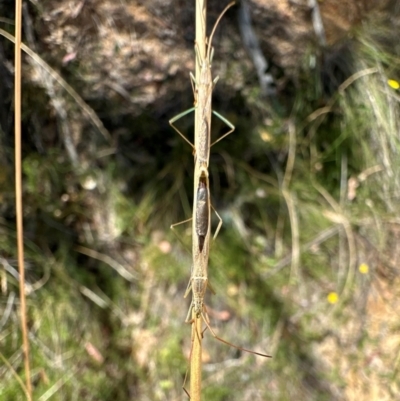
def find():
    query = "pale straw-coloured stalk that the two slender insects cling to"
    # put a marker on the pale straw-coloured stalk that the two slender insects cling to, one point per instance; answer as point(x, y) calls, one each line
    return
point(196, 360)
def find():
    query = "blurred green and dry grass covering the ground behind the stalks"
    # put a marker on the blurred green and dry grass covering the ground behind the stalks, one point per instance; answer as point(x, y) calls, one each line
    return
point(98, 336)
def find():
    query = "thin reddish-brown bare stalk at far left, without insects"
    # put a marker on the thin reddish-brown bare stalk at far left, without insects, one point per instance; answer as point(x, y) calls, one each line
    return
point(18, 194)
